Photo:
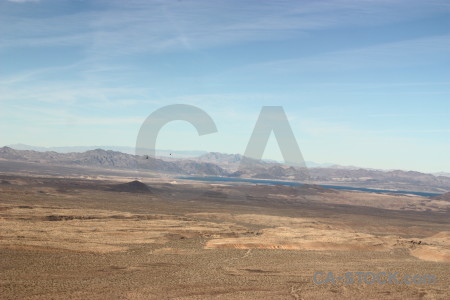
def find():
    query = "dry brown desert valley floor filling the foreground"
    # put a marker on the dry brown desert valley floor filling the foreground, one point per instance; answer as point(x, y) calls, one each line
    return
point(107, 238)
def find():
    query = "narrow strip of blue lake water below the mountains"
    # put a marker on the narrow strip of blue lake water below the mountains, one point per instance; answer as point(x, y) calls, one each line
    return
point(291, 183)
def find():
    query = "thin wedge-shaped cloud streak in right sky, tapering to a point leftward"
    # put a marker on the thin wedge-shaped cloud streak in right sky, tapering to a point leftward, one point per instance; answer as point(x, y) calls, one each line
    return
point(386, 55)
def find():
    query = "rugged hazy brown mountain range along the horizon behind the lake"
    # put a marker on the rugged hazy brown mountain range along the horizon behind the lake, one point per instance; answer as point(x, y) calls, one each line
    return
point(219, 164)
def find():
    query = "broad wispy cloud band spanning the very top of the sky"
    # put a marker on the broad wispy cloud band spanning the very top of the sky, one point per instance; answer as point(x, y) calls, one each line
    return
point(155, 26)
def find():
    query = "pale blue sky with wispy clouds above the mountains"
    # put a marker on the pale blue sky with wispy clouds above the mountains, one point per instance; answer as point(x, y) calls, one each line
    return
point(362, 82)
